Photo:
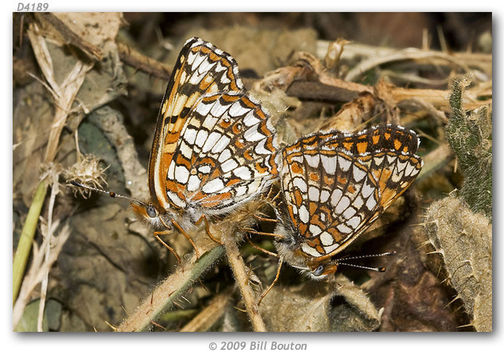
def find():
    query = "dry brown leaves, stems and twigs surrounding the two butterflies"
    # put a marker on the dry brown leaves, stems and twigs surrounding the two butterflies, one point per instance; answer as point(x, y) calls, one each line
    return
point(87, 88)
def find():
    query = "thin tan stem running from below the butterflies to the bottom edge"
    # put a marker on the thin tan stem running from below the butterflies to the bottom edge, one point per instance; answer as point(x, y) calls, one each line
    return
point(238, 266)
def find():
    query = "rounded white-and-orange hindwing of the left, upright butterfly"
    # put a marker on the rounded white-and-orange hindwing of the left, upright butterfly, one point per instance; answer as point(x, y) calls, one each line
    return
point(226, 154)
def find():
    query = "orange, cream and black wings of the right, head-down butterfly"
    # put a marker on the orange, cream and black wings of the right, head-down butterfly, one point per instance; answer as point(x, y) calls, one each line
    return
point(337, 184)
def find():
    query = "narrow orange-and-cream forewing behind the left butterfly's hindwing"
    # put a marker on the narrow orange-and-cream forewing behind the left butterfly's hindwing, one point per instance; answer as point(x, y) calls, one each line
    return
point(200, 69)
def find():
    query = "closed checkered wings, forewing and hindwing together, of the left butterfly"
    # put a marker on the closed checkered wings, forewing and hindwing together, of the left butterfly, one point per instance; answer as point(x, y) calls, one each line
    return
point(214, 146)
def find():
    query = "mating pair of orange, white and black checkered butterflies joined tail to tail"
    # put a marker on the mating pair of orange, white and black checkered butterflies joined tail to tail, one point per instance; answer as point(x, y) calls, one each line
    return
point(215, 148)
